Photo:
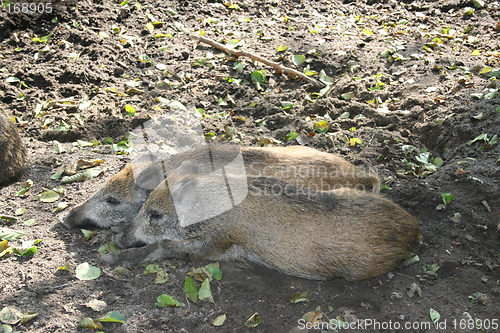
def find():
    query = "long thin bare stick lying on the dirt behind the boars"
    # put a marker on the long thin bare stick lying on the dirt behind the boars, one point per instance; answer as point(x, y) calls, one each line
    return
point(279, 68)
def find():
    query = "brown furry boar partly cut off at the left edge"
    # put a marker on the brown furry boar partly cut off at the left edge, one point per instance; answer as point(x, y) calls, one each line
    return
point(12, 151)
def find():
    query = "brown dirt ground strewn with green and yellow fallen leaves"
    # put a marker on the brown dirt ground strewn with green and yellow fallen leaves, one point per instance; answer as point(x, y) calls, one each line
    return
point(416, 81)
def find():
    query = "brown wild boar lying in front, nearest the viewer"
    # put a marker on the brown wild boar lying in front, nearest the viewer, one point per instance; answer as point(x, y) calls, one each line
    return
point(345, 233)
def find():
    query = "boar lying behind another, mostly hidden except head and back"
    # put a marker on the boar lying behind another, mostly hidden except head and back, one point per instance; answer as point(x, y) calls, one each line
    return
point(121, 198)
